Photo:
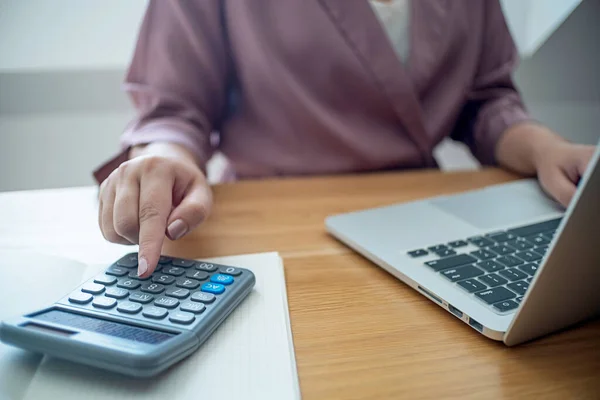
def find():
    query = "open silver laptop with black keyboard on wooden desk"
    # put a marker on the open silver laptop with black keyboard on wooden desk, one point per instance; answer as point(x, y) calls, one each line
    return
point(506, 259)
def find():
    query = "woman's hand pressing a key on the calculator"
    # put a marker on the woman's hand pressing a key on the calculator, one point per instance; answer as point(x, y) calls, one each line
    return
point(156, 193)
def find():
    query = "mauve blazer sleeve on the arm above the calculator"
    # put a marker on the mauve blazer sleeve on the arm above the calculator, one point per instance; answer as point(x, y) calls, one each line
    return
point(177, 79)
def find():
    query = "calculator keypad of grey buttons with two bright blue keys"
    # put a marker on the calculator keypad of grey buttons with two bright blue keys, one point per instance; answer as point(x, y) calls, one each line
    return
point(179, 292)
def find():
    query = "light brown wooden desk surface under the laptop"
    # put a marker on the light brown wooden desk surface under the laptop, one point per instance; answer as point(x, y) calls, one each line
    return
point(358, 332)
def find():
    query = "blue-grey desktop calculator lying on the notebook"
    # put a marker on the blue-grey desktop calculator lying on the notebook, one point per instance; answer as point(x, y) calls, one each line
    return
point(120, 322)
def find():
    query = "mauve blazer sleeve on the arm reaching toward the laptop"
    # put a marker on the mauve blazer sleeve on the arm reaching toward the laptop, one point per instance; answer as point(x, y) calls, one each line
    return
point(494, 103)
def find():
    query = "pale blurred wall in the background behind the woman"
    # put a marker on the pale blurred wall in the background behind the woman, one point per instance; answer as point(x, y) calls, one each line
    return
point(62, 63)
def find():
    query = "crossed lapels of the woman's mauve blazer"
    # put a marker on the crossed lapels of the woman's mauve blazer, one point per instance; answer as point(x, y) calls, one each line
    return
point(363, 32)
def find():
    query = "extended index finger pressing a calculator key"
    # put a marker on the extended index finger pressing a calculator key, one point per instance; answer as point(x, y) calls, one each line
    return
point(155, 205)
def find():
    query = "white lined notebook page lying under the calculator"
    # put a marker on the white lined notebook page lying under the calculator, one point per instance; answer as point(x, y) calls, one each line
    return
point(249, 357)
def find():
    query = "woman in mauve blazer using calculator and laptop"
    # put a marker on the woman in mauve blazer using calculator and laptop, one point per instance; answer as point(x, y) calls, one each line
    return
point(309, 87)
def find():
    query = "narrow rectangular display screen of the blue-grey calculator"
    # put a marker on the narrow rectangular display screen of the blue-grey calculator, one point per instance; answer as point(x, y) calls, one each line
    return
point(104, 327)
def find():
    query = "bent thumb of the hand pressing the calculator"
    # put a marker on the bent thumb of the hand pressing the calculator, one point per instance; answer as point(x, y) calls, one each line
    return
point(191, 211)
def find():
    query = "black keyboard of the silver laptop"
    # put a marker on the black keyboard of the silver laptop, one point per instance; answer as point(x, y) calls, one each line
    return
point(501, 268)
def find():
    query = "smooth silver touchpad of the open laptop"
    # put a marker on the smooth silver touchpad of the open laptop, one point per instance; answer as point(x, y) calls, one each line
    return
point(500, 205)
